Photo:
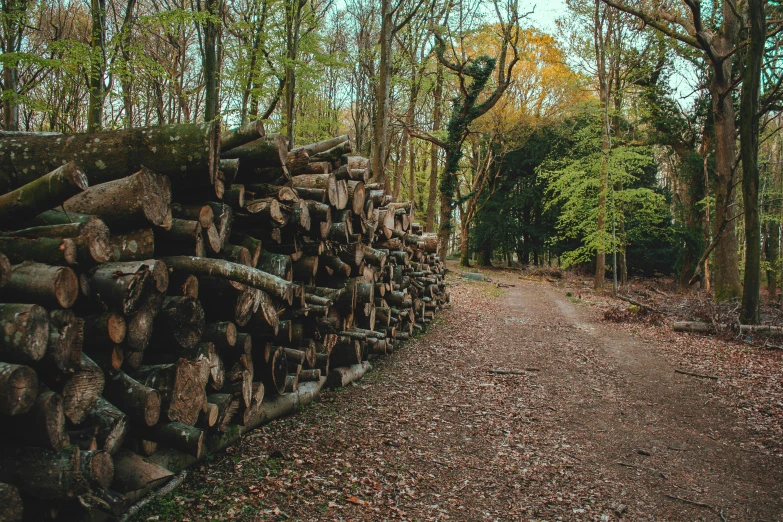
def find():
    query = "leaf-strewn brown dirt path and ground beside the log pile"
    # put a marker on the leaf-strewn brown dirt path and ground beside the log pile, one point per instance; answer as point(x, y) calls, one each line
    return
point(597, 426)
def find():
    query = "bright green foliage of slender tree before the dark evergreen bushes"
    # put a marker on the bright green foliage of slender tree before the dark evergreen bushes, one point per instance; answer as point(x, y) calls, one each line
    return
point(573, 189)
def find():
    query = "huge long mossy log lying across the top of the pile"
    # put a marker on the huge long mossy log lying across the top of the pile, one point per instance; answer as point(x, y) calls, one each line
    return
point(180, 150)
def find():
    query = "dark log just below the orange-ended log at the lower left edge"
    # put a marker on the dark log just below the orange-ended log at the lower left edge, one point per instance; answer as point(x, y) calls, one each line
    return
point(43, 425)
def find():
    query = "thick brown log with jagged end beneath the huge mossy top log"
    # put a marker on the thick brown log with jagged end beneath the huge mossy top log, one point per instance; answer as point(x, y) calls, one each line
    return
point(140, 199)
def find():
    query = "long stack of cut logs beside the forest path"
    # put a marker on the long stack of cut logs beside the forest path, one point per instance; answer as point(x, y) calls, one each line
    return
point(165, 290)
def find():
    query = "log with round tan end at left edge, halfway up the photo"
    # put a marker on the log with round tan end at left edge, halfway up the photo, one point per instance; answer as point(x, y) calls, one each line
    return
point(51, 286)
